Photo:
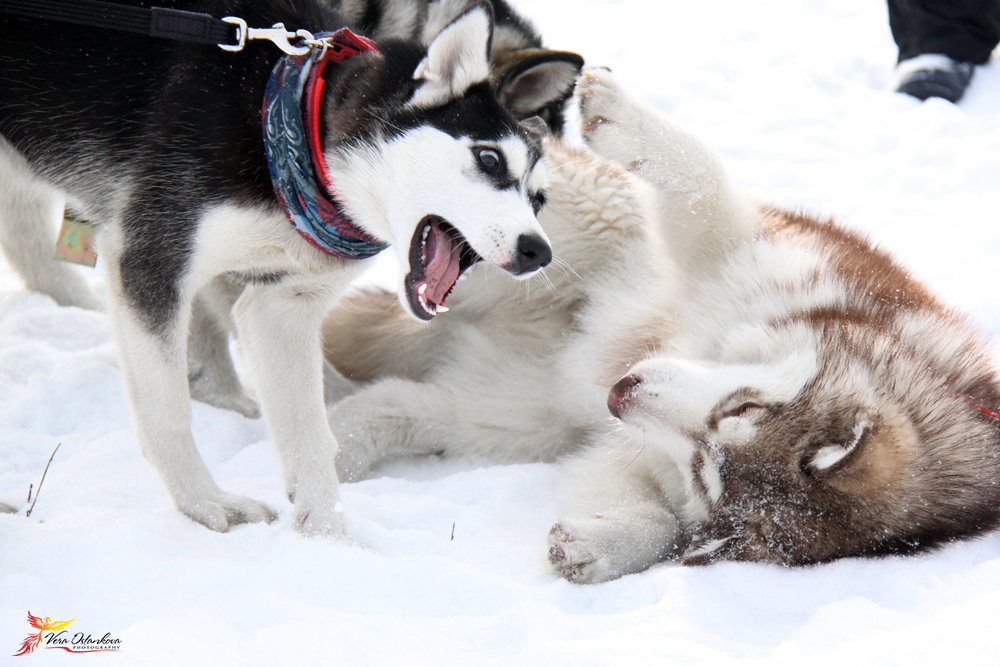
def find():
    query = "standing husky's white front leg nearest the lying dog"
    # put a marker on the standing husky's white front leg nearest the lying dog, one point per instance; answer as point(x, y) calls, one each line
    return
point(279, 328)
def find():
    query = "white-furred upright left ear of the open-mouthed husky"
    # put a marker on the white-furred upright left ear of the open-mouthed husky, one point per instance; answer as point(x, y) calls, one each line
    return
point(457, 58)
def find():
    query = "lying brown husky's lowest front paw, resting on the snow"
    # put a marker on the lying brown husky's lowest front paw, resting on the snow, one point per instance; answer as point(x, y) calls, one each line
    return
point(575, 552)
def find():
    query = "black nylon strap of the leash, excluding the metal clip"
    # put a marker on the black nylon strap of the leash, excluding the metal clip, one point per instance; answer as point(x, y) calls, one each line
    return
point(150, 21)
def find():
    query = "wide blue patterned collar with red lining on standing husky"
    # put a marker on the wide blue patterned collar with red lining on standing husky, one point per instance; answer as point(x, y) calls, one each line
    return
point(291, 121)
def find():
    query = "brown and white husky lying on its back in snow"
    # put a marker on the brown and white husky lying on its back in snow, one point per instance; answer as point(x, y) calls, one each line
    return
point(790, 394)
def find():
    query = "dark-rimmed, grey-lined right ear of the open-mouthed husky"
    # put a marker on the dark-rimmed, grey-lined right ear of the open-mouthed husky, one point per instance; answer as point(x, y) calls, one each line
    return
point(534, 82)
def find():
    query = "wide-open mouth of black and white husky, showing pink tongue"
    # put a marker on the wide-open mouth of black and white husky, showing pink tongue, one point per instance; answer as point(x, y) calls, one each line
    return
point(439, 255)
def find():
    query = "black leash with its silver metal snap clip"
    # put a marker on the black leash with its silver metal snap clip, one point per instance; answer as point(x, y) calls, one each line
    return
point(229, 33)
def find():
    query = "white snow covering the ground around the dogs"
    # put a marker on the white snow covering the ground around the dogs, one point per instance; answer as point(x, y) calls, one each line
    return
point(796, 96)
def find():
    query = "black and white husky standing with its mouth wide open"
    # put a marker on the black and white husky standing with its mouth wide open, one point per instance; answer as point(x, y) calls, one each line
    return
point(161, 141)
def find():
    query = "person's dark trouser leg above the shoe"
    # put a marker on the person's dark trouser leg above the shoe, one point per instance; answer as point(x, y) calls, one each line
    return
point(964, 30)
